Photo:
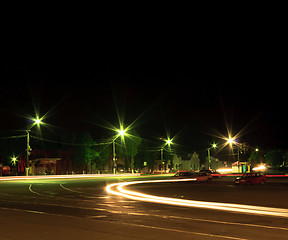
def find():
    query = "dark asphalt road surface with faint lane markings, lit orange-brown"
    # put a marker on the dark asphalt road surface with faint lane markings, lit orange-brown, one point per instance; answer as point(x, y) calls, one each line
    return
point(82, 209)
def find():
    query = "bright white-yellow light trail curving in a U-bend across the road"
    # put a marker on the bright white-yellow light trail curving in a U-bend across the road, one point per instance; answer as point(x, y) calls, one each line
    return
point(118, 189)
